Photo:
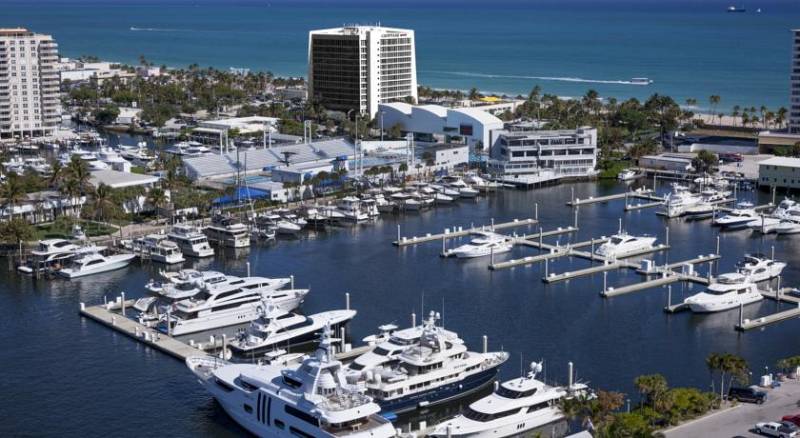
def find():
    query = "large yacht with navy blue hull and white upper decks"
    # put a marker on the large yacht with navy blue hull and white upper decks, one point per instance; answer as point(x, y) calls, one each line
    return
point(437, 368)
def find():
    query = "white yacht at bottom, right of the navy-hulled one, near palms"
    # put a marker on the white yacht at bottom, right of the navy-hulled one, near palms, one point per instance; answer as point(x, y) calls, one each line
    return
point(515, 408)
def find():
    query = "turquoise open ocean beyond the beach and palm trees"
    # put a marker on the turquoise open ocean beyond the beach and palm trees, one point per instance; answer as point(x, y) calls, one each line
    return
point(690, 48)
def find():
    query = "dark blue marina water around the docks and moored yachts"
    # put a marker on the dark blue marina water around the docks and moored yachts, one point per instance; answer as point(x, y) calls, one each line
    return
point(67, 375)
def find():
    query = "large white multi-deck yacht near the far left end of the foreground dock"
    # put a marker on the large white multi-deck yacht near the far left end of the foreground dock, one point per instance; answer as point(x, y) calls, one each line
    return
point(231, 302)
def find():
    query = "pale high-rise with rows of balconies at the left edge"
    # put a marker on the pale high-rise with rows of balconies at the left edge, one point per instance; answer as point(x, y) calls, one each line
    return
point(29, 84)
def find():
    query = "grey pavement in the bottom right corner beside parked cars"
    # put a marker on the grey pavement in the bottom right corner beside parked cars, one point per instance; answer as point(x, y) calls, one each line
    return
point(739, 420)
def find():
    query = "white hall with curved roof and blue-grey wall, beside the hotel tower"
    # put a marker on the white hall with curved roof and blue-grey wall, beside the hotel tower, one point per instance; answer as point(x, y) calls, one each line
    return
point(435, 124)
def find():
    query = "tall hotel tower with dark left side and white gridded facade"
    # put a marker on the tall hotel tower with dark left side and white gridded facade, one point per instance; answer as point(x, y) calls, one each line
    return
point(359, 67)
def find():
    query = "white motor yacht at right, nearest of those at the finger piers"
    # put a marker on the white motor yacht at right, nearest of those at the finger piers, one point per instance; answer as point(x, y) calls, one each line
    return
point(730, 291)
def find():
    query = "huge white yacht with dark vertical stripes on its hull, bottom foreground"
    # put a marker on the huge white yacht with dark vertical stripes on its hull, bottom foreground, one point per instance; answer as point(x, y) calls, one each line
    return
point(312, 400)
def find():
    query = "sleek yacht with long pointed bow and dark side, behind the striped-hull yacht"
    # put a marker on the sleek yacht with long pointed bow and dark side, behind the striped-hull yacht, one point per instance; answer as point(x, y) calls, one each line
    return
point(278, 328)
